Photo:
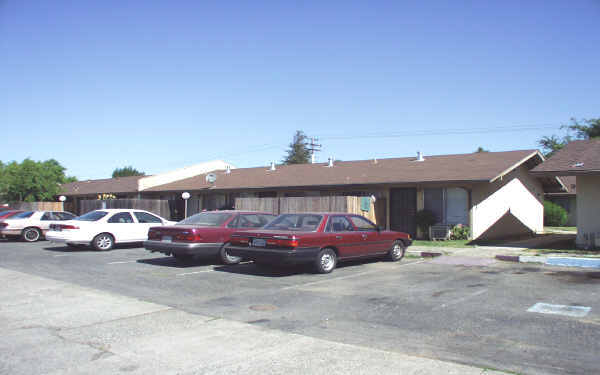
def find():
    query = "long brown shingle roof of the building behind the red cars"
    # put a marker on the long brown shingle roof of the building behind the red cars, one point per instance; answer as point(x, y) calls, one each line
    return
point(484, 166)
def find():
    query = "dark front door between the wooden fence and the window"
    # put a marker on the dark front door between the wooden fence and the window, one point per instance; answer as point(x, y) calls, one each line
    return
point(403, 208)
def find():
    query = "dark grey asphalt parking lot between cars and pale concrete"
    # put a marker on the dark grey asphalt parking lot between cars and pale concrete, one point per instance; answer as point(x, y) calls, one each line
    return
point(474, 315)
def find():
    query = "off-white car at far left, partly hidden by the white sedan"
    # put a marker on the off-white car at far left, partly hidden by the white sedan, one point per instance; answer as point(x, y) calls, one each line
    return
point(32, 225)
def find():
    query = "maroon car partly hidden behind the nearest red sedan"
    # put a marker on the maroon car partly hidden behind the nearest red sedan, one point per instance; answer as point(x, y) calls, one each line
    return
point(206, 233)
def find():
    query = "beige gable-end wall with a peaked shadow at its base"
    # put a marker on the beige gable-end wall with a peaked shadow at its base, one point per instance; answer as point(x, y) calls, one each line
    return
point(517, 193)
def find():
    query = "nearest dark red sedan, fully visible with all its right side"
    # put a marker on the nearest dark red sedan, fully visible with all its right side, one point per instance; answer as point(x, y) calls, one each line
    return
point(319, 238)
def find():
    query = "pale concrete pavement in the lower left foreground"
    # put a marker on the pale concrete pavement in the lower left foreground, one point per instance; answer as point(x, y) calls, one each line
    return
point(51, 327)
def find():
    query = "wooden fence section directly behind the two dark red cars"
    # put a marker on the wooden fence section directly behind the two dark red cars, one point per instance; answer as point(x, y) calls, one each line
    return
point(349, 204)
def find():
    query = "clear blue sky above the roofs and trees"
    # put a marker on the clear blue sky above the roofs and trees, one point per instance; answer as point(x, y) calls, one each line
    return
point(165, 84)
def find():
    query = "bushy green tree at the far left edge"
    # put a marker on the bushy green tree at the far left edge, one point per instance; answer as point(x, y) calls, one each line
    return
point(31, 181)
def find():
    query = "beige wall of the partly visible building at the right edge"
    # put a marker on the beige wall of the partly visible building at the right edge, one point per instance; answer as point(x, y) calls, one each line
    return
point(588, 211)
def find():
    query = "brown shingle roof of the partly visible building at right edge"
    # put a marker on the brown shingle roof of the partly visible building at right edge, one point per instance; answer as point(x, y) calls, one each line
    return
point(577, 157)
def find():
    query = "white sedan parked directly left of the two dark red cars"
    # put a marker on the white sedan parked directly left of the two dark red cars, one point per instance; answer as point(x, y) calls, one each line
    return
point(104, 228)
